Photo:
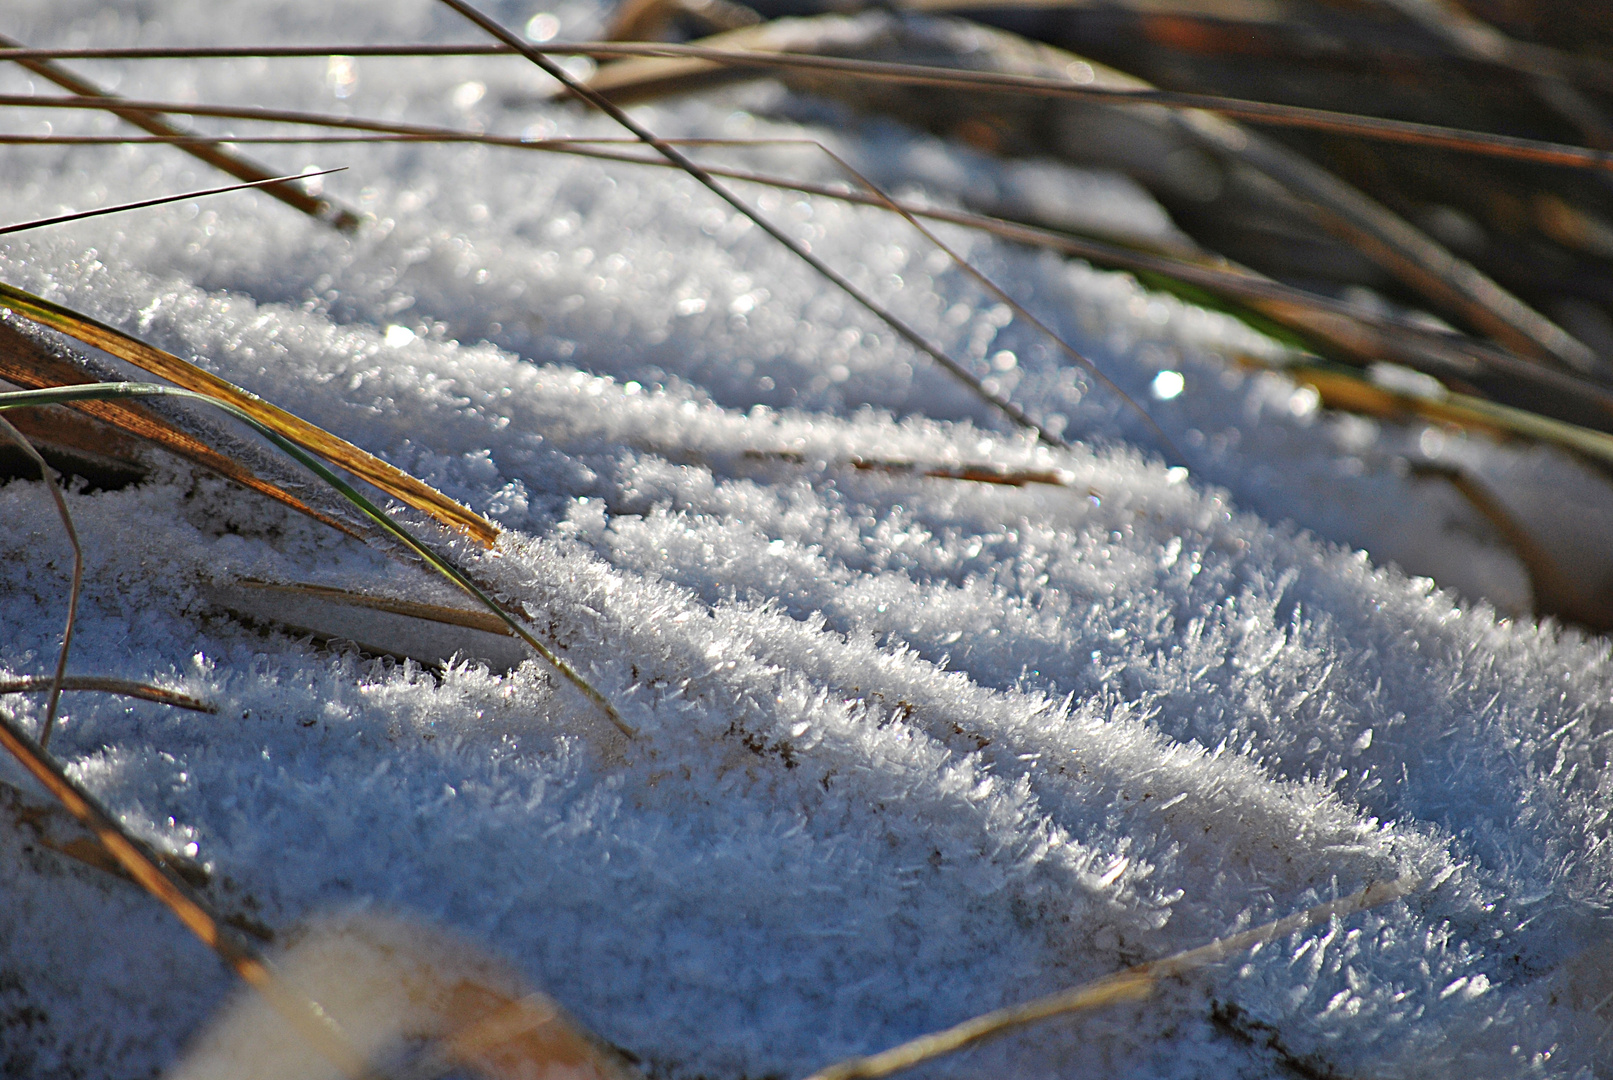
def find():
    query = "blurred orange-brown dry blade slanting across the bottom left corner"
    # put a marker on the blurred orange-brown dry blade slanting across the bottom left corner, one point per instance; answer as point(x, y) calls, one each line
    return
point(193, 910)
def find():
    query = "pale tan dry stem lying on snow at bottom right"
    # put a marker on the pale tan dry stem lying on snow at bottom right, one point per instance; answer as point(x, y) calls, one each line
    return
point(1128, 986)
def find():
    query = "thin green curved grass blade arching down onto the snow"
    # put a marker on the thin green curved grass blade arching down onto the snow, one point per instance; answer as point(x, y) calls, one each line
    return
point(431, 557)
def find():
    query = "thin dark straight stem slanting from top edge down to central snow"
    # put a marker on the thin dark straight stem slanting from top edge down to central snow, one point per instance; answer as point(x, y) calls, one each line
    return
point(840, 281)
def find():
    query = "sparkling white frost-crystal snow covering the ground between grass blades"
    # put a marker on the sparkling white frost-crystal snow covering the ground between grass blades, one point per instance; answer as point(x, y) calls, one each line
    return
point(911, 749)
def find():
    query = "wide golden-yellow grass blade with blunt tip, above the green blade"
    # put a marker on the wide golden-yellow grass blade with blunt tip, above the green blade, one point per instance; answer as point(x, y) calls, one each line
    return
point(340, 452)
